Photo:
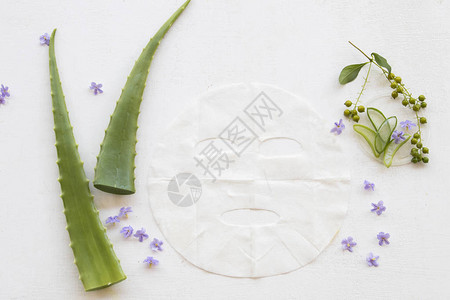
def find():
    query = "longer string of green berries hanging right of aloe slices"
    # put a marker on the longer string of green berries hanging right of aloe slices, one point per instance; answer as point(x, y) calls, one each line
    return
point(418, 151)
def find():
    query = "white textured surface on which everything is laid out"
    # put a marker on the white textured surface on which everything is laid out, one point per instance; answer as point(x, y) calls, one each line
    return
point(298, 45)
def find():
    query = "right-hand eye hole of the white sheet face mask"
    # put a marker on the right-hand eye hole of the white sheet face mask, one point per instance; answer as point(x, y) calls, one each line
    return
point(280, 146)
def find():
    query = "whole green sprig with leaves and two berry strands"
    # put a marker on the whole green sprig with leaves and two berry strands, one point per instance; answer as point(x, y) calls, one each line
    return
point(349, 73)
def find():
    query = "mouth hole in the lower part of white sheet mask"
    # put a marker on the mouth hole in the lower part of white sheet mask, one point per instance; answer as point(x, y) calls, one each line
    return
point(250, 216)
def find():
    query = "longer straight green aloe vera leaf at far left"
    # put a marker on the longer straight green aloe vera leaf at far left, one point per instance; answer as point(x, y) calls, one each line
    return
point(94, 256)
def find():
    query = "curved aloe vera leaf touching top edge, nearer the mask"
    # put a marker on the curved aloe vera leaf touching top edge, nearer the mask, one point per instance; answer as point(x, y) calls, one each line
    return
point(114, 172)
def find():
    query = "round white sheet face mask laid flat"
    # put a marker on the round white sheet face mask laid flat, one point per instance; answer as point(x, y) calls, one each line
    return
point(249, 182)
